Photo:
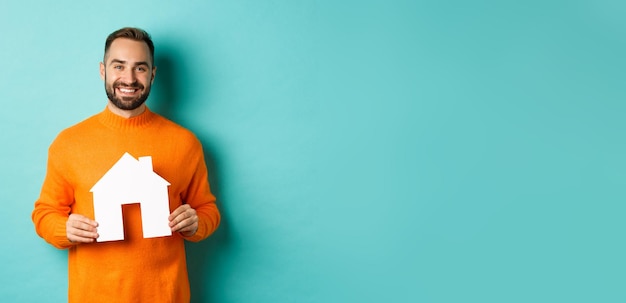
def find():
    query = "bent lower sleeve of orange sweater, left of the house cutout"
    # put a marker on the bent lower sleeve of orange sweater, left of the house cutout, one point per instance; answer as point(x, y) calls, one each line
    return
point(54, 204)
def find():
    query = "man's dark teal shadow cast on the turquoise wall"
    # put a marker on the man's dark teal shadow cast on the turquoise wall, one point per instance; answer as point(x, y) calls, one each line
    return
point(203, 258)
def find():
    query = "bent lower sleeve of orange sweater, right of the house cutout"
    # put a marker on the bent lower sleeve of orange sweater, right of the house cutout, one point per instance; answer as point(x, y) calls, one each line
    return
point(198, 195)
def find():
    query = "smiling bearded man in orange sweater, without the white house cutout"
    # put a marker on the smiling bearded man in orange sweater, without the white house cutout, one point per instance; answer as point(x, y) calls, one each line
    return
point(135, 269)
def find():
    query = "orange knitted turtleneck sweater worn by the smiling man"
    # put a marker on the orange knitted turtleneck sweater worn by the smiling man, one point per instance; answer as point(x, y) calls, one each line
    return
point(134, 269)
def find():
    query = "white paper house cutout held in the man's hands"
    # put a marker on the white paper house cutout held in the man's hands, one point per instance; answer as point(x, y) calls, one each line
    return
point(131, 181)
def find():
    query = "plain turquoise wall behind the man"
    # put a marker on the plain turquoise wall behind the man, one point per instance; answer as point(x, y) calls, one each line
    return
point(361, 151)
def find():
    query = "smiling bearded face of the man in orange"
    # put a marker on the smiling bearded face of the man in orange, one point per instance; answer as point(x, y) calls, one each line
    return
point(127, 73)
